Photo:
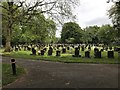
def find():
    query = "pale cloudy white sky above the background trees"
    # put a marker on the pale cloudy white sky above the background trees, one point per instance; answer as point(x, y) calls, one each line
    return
point(91, 12)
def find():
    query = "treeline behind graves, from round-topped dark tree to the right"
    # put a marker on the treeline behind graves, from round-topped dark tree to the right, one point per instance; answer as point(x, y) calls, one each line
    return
point(72, 33)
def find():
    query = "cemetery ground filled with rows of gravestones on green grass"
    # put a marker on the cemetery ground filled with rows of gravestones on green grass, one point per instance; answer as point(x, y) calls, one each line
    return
point(60, 53)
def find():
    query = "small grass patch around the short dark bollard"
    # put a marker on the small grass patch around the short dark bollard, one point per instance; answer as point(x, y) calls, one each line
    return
point(7, 76)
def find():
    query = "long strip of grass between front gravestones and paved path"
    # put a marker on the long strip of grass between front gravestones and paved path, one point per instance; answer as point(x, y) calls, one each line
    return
point(66, 58)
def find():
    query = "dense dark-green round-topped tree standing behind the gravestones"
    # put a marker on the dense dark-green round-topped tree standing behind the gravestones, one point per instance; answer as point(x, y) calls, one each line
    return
point(71, 33)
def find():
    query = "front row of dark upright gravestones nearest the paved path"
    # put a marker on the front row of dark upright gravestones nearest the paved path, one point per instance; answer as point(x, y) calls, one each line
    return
point(97, 53)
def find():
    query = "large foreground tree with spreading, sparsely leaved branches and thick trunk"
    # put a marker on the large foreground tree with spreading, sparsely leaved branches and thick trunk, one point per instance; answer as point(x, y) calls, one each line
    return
point(16, 12)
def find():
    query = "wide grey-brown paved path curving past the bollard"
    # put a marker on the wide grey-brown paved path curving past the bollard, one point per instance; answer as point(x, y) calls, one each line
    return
point(46, 74)
